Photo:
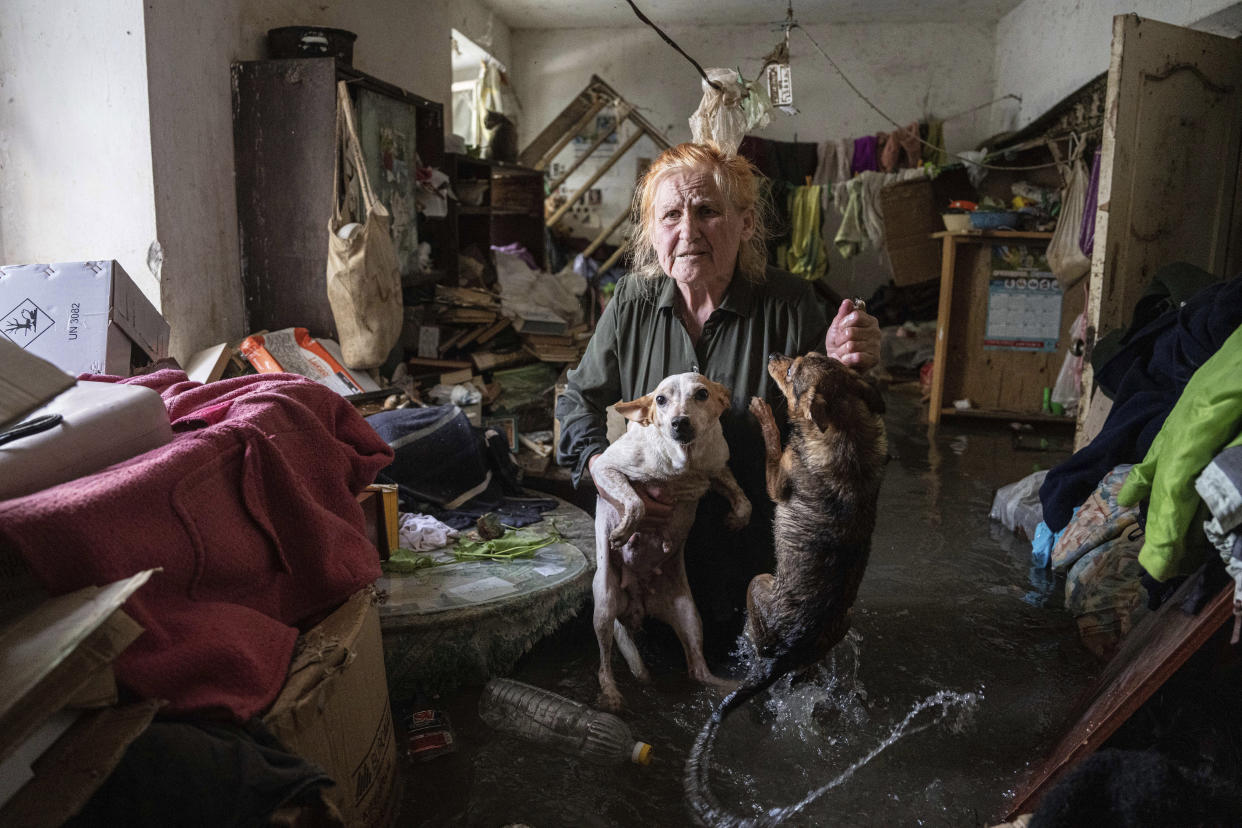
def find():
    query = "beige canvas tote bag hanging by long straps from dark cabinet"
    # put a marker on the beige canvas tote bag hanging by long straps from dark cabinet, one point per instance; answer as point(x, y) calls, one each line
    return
point(365, 282)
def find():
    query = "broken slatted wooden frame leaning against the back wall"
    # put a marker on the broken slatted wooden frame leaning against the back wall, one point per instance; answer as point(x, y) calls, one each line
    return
point(568, 126)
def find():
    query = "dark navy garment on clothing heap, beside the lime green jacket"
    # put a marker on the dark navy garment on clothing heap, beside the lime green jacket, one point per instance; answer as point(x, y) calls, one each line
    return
point(1148, 377)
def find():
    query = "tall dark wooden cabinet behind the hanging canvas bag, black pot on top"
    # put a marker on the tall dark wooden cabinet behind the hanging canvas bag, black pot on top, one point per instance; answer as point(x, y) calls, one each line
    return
point(285, 142)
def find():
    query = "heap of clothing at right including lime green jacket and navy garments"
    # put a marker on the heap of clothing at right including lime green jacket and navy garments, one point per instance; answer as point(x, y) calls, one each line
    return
point(1153, 497)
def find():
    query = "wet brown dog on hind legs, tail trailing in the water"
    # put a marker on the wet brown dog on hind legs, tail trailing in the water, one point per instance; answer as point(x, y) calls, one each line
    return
point(825, 486)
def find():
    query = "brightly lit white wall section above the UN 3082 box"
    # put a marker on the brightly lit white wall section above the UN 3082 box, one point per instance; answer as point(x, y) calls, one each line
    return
point(75, 147)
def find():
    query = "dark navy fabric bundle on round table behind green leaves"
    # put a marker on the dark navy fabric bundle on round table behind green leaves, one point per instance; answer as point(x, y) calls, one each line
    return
point(439, 457)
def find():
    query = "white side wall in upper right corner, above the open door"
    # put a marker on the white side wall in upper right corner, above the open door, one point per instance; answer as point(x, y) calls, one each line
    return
point(1048, 49)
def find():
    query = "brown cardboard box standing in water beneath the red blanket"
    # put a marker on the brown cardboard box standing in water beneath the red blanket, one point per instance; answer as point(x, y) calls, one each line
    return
point(335, 711)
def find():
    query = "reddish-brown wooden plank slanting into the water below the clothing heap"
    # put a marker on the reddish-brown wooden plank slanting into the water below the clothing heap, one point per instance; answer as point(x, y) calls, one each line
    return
point(1156, 649)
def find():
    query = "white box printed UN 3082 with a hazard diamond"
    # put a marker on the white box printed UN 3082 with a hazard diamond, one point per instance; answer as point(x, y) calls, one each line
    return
point(83, 317)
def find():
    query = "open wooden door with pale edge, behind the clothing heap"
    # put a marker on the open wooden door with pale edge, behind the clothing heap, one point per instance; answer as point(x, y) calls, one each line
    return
point(1169, 172)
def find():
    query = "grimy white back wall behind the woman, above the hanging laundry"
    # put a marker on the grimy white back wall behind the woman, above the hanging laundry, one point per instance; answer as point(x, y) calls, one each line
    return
point(910, 73)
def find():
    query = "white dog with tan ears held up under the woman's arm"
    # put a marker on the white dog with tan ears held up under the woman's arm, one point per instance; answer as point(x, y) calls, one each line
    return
point(674, 443)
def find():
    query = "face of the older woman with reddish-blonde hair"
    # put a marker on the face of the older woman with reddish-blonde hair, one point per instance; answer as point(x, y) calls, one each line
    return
point(696, 232)
